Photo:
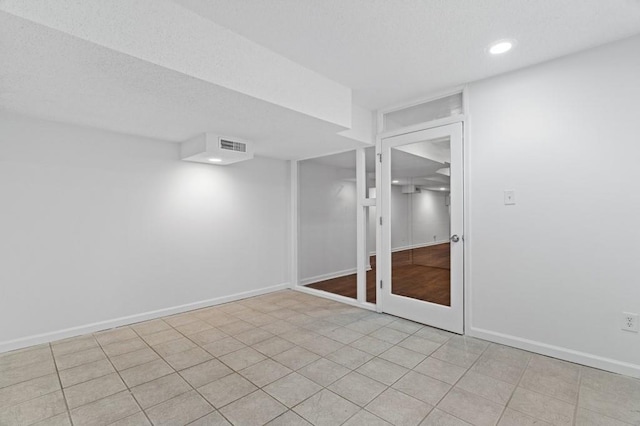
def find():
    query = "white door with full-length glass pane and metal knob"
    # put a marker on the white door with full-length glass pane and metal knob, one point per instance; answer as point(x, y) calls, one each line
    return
point(421, 220)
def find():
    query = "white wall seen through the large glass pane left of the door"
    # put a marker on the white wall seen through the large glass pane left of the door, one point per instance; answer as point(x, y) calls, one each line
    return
point(327, 221)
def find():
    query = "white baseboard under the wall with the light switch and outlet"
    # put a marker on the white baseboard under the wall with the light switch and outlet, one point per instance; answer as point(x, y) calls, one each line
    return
point(566, 354)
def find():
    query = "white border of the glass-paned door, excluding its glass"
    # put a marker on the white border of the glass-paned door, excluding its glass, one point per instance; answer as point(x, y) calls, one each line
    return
point(454, 321)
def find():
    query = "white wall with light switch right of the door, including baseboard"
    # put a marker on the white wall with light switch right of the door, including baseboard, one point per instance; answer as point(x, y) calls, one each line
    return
point(554, 272)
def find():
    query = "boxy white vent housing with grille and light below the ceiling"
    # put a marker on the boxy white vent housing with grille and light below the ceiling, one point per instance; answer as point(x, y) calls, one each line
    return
point(213, 149)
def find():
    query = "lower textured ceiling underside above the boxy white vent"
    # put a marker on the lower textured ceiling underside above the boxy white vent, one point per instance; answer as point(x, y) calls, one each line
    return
point(49, 74)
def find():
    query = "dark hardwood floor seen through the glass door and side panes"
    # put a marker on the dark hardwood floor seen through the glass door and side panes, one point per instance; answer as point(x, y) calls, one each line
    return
point(418, 273)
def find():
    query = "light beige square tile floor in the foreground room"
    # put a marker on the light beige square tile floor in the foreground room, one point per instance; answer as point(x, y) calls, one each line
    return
point(289, 358)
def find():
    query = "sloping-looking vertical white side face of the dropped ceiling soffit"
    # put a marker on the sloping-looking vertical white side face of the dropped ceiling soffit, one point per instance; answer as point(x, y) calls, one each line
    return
point(168, 35)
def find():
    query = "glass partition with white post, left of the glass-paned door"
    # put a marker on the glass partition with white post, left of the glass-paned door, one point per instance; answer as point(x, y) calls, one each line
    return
point(333, 247)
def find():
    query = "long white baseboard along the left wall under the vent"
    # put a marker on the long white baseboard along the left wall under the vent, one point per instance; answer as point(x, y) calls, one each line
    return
point(37, 339)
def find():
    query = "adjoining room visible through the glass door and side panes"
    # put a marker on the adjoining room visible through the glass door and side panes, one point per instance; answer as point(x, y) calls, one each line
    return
point(420, 221)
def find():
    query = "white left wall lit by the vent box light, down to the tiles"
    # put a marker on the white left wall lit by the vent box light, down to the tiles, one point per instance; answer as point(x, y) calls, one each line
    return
point(97, 226)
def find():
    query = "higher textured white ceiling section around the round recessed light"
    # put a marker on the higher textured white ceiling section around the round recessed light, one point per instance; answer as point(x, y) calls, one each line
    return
point(393, 50)
